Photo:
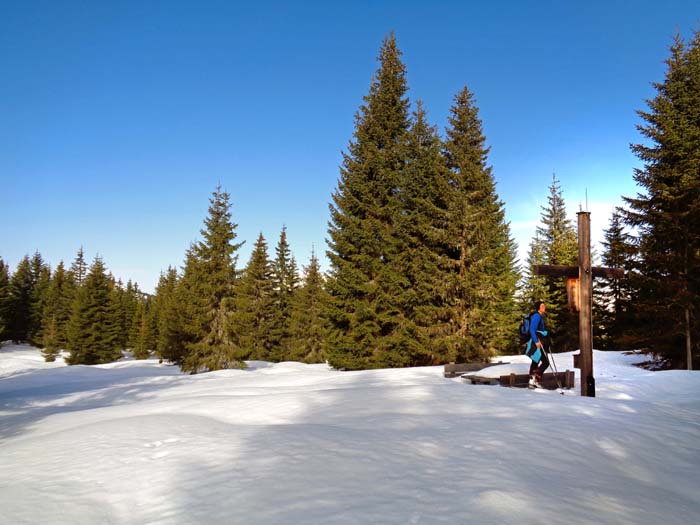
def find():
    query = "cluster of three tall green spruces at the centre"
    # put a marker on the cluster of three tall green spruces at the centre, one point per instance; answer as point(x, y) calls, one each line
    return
point(422, 262)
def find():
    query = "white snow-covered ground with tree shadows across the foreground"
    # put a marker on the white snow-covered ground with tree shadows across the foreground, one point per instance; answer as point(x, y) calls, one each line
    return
point(137, 442)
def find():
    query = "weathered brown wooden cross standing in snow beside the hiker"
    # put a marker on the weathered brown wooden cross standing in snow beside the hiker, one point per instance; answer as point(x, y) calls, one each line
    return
point(584, 273)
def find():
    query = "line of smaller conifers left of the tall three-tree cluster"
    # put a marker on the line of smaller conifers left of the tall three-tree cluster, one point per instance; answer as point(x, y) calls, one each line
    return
point(209, 316)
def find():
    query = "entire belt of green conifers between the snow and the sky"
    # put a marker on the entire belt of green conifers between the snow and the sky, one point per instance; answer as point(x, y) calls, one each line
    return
point(422, 263)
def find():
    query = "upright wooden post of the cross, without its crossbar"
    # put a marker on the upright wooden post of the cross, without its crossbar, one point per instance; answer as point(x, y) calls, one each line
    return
point(585, 324)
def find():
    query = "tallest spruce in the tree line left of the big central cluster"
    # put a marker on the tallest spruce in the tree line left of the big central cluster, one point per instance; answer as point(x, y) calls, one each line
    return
point(210, 275)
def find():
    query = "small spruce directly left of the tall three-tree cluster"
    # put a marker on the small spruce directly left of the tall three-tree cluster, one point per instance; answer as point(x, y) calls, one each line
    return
point(308, 324)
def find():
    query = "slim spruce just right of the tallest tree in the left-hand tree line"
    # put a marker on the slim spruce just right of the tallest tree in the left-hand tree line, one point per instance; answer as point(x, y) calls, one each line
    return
point(254, 308)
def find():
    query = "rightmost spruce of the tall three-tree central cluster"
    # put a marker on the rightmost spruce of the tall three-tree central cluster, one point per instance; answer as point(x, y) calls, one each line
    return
point(485, 277)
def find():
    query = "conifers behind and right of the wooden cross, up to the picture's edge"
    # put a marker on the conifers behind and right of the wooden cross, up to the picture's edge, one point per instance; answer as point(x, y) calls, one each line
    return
point(654, 237)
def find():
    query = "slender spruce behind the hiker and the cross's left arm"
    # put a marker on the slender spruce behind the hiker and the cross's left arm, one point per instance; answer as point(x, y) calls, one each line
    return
point(555, 243)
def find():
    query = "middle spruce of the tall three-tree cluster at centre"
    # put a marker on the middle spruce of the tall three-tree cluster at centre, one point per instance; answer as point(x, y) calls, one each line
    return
point(423, 304)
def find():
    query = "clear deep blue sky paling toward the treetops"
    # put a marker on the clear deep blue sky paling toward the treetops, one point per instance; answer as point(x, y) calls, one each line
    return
point(119, 119)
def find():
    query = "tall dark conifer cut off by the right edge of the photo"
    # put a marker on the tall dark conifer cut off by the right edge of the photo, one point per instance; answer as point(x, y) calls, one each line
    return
point(667, 214)
